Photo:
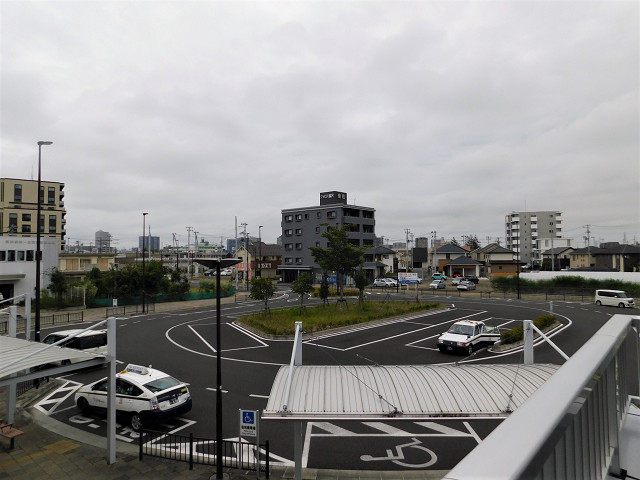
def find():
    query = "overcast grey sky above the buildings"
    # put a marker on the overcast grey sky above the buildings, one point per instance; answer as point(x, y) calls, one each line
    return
point(442, 116)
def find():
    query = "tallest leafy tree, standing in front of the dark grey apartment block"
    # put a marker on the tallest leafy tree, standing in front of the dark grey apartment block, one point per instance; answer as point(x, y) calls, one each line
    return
point(340, 256)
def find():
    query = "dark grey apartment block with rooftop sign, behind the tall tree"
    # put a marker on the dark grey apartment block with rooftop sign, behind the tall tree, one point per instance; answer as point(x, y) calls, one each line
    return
point(303, 228)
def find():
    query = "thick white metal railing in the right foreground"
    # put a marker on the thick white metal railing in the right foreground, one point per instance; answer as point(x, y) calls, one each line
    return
point(570, 427)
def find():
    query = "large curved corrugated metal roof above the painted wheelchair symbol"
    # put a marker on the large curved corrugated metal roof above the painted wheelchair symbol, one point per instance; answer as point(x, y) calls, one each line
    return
point(403, 392)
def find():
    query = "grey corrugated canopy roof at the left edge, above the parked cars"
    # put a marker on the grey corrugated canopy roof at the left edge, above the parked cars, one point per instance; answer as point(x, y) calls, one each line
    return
point(17, 355)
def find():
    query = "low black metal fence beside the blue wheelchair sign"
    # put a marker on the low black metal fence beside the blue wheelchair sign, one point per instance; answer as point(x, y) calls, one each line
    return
point(202, 451)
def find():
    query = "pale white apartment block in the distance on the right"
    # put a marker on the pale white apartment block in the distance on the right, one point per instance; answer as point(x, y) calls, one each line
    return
point(522, 230)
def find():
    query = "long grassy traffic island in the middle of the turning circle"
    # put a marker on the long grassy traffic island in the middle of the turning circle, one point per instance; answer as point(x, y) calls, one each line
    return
point(318, 318)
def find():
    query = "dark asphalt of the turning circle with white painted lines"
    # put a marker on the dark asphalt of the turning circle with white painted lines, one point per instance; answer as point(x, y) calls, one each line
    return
point(182, 344)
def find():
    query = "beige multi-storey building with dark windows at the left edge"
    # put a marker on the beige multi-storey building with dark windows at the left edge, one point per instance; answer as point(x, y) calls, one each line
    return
point(19, 207)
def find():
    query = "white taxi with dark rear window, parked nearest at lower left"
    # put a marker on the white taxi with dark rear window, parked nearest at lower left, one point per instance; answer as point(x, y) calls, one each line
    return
point(143, 394)
